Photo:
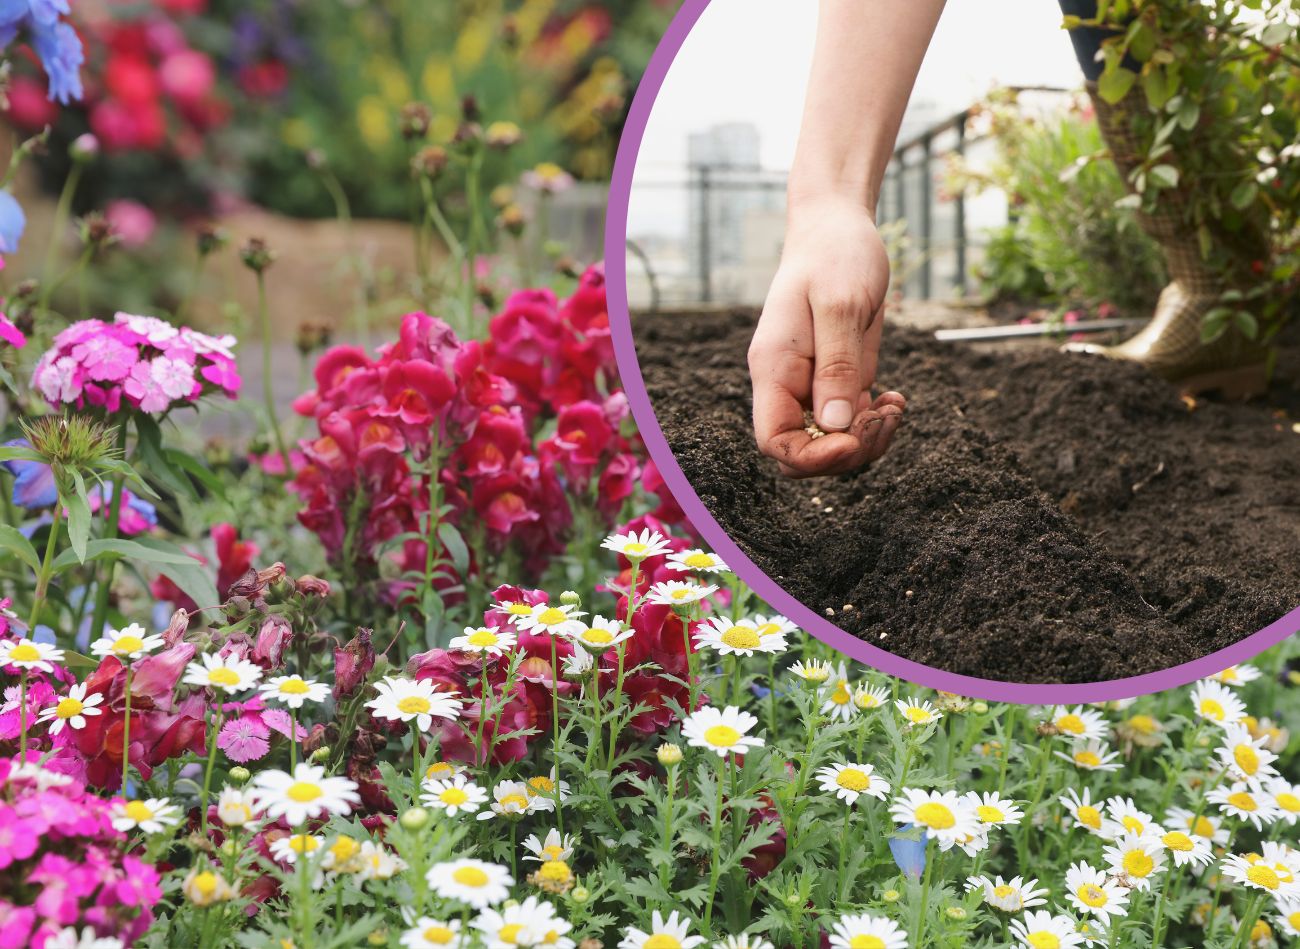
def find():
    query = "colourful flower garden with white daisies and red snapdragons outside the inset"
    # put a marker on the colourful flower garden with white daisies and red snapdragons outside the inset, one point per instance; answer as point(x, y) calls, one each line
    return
point(434, 660)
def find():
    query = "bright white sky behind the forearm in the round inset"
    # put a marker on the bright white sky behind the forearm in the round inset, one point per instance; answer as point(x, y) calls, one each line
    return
point(748, 60)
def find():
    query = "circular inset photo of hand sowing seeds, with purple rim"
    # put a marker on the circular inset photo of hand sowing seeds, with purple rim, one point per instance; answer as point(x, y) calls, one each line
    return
point(972, 341)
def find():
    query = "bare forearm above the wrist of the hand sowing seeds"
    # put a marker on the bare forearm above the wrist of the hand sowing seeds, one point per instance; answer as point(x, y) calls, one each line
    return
point(865, 64)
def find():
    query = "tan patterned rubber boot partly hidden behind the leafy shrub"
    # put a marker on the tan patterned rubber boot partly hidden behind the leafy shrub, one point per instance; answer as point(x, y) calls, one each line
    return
point(1171, 345)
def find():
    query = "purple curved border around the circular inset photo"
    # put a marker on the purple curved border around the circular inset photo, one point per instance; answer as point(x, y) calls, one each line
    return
point(621, 324)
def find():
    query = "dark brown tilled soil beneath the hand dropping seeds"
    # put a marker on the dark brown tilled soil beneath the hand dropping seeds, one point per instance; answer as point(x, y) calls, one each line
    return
point(1041, 518)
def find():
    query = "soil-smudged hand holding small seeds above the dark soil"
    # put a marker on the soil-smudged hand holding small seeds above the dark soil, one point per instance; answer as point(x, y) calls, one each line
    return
point(818, 341)
